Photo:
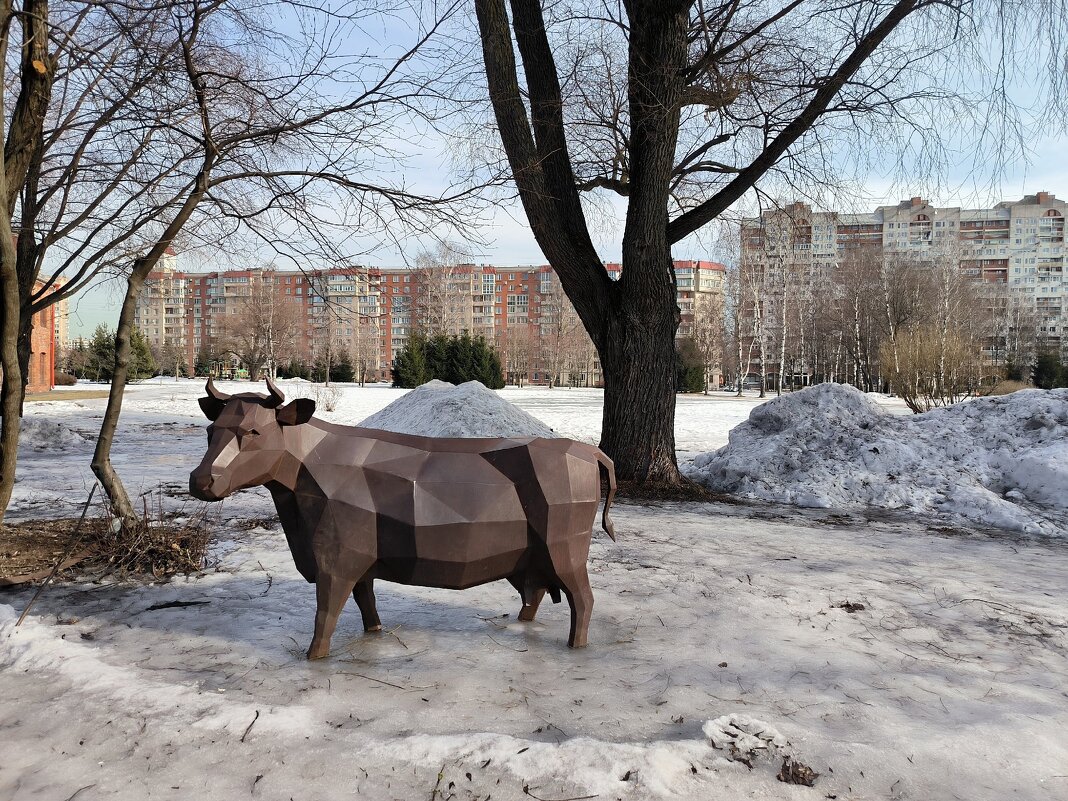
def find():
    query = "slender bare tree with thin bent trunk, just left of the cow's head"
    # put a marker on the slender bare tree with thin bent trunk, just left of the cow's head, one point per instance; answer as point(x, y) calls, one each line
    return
point(269, 146)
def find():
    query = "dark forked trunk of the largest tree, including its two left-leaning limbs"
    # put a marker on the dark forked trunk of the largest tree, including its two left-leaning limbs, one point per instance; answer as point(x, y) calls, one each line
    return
point(634, 322)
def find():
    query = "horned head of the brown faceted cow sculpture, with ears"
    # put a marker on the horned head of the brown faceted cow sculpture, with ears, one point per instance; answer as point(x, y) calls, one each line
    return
point(246, 441)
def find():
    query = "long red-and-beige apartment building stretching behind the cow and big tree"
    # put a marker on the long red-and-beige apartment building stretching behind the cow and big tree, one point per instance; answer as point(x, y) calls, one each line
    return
point(370, 313)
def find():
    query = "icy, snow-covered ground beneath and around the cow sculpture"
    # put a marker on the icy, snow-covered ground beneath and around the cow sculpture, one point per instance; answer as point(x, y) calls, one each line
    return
point(894, 659)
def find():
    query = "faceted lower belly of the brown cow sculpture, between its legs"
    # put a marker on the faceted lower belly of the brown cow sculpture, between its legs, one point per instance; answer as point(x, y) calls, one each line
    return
point(452, 556)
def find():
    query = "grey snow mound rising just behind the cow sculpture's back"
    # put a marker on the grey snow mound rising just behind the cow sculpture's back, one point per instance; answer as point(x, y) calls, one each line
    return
point(441, 410)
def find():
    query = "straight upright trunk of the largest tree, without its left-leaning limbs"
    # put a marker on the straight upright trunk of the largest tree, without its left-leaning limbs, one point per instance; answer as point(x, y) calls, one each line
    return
point(638, 348)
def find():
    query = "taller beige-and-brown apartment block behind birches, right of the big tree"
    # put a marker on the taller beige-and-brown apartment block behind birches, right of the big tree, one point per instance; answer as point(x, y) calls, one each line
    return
point(1016, 245)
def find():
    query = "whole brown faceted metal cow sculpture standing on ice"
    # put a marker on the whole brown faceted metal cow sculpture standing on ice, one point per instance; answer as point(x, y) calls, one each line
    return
point(359, 505)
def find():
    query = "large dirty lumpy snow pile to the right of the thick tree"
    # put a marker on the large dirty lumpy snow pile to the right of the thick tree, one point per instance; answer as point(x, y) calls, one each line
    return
point(999, 462)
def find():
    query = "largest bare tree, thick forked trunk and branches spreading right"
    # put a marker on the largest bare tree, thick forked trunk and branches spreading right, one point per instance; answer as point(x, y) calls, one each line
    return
point(684, 107)
